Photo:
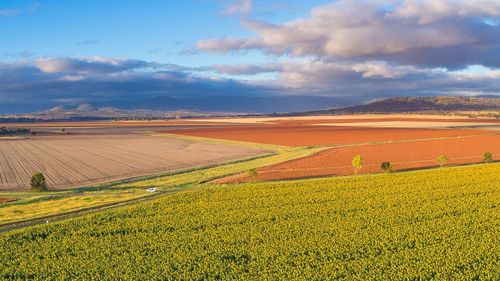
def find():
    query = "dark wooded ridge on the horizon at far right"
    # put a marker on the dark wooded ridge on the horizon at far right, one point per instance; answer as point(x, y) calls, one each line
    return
point(418, 104)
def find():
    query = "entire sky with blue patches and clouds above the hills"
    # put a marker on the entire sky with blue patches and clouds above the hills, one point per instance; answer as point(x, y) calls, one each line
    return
point(56, 51)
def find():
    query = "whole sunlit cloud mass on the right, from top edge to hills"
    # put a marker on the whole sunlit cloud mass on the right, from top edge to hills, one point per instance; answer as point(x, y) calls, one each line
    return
point(380, 47)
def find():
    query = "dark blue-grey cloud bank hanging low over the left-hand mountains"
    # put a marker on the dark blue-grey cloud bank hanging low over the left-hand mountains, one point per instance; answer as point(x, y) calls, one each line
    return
point(65, 80)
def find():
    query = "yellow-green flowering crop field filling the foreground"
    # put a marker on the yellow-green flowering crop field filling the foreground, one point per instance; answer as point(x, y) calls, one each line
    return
point(440, 224)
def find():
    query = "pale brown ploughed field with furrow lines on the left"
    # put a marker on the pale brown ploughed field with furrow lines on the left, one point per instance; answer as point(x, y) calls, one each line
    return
point(77, 160)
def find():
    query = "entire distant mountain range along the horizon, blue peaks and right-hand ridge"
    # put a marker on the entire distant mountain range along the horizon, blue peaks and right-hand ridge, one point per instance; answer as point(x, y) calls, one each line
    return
point(167, 107)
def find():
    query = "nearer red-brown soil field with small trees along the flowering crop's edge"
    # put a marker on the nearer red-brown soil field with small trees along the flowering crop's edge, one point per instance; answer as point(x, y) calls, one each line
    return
point(407, 155)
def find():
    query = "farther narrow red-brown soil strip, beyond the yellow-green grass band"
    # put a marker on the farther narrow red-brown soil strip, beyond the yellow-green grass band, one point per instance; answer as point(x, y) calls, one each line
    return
point(309, 135)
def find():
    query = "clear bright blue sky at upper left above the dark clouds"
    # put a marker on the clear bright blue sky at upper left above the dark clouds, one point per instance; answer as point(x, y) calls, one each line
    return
point(154, 30)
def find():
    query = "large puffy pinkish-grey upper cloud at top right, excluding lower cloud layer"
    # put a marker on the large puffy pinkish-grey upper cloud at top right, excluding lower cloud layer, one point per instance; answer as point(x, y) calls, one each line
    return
point(447, 33)
